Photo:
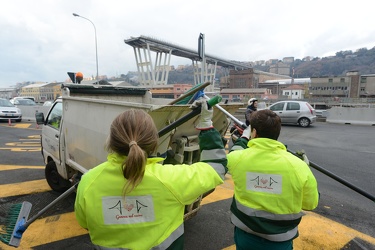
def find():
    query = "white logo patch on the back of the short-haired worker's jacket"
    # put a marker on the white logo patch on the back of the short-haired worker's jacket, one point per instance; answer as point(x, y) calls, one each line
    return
point(266, 183)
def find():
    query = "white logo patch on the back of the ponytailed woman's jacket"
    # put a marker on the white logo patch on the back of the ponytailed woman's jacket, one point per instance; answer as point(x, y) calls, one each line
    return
point(131, 210)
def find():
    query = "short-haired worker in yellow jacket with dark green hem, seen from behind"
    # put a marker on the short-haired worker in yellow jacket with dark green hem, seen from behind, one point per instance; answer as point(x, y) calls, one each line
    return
point(272, 187)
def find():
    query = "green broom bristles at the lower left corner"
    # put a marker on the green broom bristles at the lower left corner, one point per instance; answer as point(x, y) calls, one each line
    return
point(8, 220)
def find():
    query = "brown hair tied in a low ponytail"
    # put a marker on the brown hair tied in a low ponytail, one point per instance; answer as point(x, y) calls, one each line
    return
point(133, 133)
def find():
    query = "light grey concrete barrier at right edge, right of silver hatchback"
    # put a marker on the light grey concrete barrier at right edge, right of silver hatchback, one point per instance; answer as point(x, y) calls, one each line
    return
point(357, 116)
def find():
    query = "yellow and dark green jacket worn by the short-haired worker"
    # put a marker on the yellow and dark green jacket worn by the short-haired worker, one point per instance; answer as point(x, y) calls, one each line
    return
point(272, 187)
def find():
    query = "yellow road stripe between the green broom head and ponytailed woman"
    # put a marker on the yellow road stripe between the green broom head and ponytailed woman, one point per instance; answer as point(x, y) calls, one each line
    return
point(49, 229)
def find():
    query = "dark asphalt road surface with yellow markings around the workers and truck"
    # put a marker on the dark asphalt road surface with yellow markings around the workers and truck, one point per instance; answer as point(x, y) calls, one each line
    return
point(343, 219)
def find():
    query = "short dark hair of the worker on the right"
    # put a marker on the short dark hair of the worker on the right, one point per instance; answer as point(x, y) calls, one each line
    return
point(267, 123)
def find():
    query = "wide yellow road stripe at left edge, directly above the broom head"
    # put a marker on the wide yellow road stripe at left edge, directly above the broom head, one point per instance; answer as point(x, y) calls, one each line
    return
point(28, 187)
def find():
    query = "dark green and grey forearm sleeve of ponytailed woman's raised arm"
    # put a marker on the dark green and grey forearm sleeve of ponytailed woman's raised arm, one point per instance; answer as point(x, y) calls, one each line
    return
point(213, 151)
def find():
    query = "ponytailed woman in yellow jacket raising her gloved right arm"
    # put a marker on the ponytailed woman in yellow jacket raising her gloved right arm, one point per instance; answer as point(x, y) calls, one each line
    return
point(132, 201)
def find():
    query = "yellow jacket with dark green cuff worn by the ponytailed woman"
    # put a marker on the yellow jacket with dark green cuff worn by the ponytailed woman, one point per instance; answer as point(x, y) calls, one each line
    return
point(151, 216)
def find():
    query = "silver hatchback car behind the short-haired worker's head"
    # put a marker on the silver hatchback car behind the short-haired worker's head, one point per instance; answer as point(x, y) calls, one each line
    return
point(294, 112)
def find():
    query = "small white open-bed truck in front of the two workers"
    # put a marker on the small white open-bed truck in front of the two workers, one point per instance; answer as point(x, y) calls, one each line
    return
point(77, 126)
